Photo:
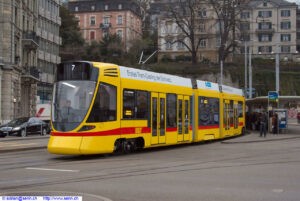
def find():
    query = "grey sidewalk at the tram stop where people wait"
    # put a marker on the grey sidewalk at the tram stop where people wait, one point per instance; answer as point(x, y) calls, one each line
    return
point(253, 136)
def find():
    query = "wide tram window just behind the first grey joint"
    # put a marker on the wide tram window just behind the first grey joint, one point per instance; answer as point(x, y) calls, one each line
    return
point(208, 112)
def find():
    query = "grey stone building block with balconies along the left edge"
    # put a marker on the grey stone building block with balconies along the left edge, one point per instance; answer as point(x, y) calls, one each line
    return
point(29, 50)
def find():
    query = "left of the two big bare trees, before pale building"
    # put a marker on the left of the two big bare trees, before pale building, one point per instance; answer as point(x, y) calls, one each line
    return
point(185, 14)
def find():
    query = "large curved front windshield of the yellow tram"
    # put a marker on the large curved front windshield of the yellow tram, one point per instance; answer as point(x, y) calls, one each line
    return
point(71, 100)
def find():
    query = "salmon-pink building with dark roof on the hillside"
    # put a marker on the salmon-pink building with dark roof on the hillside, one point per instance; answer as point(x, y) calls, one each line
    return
point(97, 19)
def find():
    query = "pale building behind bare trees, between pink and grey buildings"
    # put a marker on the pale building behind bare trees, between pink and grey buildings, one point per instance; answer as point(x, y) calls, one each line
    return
point(170, 35)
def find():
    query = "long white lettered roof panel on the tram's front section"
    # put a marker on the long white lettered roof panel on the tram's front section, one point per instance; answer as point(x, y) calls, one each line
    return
point(143, 75)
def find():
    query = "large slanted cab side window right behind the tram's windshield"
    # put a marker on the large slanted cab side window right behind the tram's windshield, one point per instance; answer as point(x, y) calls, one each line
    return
point(105, 105)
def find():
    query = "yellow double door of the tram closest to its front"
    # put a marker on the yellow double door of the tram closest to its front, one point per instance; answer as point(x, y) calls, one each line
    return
point(158, 102)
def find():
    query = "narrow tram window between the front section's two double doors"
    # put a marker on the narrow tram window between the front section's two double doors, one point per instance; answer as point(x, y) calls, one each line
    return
point(171, 111)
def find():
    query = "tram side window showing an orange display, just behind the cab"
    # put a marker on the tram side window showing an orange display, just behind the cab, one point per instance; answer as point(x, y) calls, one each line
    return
point(129, 104)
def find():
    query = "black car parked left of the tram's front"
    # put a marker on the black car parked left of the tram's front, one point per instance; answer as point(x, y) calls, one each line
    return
point(24, 126)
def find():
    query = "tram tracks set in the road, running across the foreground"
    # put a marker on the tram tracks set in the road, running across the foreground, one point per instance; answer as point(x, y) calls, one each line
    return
point(141, 170)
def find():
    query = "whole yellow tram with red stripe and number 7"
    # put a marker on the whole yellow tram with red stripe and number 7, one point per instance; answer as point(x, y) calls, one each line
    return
point(102, 108)
